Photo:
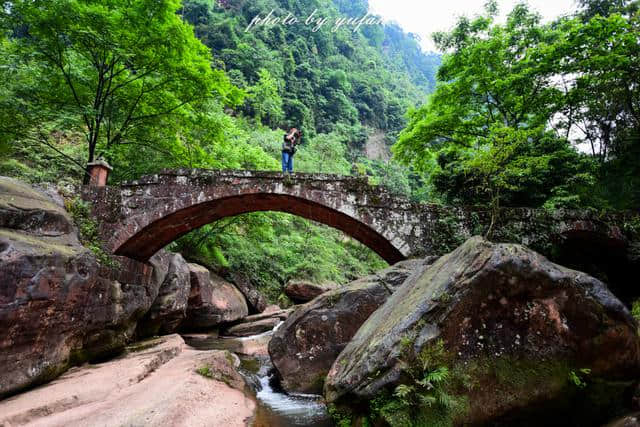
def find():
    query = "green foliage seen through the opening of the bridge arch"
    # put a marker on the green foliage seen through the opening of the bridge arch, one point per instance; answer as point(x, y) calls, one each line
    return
point(276, 248)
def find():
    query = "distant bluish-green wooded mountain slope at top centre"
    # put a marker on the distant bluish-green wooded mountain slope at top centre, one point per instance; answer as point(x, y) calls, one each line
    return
point(325, 79)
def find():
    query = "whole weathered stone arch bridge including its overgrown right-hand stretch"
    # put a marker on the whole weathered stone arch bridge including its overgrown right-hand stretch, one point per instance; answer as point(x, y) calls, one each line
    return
point(140, 217)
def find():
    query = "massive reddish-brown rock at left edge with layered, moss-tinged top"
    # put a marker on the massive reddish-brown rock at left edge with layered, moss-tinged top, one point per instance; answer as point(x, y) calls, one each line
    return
point(57, 307)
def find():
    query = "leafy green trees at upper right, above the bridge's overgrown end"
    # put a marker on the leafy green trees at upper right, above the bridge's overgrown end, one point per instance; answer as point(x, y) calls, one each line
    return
point(513, 101)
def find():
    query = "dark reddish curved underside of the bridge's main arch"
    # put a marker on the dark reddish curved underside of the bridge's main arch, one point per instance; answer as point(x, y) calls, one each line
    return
point(163, 231)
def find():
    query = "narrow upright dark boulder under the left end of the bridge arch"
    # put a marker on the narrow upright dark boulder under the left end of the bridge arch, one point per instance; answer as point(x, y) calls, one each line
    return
point(169, 308)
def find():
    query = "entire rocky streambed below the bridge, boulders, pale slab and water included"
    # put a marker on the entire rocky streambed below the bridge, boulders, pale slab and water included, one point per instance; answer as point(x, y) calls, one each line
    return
point(489, 334)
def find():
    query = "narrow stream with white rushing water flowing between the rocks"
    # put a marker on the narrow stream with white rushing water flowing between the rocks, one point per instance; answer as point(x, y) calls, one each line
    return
point(274, 408)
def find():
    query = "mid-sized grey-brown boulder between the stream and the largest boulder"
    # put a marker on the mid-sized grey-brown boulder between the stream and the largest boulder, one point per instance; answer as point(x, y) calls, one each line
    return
point(304, 347)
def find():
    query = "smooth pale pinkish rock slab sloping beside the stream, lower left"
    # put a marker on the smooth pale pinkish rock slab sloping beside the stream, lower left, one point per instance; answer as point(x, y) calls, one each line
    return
point(155, 384)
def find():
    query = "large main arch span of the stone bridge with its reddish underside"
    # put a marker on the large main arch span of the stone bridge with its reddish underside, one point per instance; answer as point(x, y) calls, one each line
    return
point(139, 218)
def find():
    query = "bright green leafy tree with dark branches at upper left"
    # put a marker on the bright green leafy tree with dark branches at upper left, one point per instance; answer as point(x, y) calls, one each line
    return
point(126, 74)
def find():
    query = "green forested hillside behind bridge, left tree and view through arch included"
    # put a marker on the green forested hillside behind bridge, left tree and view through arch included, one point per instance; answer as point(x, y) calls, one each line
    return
point(132, 83)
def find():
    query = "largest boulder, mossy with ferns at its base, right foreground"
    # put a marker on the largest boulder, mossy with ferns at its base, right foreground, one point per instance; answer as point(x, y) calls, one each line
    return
point(520, 327)
